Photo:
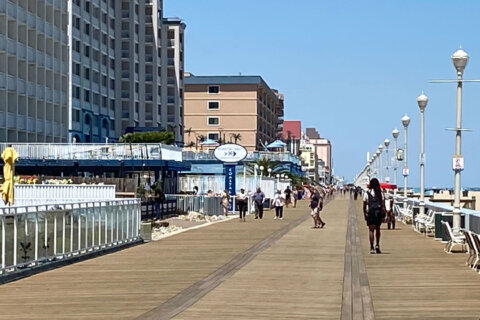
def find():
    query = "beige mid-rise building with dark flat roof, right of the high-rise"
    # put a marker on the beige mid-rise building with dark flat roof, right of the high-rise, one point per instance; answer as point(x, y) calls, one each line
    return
point(240, 109)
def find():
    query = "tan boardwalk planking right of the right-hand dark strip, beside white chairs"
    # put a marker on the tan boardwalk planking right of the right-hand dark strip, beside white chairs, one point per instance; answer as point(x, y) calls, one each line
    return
point(414, 278)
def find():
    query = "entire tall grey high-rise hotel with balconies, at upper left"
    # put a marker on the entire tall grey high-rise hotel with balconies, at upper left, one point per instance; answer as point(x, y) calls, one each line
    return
point(120, 65)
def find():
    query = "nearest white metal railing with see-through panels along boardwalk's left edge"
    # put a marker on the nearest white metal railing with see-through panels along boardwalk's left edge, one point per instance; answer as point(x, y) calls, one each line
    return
point(33, 235)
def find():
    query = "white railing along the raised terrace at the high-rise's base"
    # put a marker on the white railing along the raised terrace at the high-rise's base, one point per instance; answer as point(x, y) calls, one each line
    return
point(91, 151)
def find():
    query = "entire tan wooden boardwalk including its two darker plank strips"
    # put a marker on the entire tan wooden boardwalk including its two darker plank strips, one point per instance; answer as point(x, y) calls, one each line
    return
point(260, 269)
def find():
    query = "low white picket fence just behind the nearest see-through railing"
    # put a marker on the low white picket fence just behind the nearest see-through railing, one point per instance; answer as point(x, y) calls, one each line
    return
point(33, 194)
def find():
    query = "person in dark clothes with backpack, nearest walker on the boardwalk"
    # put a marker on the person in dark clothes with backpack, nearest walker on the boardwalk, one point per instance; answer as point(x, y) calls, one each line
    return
point(374, 212)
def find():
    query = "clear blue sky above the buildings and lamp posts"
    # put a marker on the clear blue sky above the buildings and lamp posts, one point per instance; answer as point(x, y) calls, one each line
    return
point(351, 69)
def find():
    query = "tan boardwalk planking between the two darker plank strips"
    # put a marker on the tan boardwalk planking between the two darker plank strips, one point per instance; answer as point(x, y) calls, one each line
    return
point(298, 277)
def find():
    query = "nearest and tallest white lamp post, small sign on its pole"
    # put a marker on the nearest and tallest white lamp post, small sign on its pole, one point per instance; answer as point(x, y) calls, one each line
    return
point(459, 59)
